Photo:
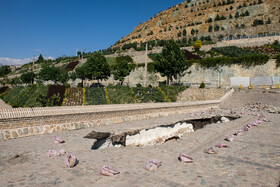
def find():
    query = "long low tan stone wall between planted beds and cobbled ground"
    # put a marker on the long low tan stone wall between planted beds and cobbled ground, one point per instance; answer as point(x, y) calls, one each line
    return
point(22, 122)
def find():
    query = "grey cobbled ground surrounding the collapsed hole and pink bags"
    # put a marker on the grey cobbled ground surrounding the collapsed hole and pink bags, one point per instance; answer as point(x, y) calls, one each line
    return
point(252, 159)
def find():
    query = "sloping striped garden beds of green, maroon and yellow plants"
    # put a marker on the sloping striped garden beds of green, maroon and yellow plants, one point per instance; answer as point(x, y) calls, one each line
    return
point(57, 95)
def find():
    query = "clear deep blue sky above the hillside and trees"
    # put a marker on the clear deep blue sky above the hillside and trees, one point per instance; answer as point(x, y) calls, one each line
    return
point(59, 27)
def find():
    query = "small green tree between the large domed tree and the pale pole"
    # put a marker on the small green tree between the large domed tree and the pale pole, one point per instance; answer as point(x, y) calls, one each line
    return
point(120, 70)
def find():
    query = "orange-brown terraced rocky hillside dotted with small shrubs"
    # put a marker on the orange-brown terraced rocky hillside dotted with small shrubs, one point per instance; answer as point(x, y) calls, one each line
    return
point(215, 18)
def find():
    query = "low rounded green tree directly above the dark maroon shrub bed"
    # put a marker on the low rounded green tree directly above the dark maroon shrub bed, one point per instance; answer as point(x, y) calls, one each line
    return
point(49, 73)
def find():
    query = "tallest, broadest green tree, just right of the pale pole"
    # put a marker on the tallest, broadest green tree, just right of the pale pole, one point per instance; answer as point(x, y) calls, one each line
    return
point(171, 62)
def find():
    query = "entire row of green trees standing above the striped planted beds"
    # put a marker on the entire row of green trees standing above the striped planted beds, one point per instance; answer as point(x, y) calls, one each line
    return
point(171, 63)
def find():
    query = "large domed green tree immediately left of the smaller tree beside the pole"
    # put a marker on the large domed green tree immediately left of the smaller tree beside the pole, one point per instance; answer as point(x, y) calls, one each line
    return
point(97, 68)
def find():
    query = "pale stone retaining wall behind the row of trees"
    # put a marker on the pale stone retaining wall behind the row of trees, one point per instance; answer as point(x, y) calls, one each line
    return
point(212, 77)
